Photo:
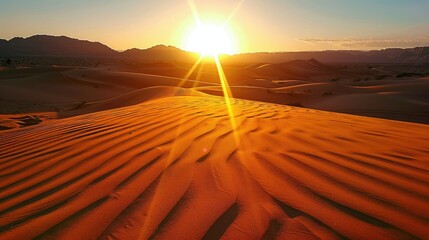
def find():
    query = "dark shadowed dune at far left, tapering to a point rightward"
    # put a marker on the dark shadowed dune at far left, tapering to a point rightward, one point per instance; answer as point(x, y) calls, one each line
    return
point(50, 90)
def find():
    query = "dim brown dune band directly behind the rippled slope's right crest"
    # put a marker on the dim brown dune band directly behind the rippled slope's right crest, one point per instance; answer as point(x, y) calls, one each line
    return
point(398, 101)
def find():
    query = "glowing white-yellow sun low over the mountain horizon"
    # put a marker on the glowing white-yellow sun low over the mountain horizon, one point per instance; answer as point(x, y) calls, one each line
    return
point(210, 39)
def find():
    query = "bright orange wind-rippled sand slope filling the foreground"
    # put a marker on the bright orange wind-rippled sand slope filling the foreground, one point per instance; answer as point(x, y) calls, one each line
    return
point(173, 168)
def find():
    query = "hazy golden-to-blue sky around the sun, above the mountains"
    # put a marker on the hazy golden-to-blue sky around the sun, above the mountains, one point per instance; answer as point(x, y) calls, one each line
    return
point(256, 25)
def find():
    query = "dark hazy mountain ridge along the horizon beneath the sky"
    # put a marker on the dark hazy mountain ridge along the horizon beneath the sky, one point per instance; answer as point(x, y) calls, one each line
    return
point(62, 46)
